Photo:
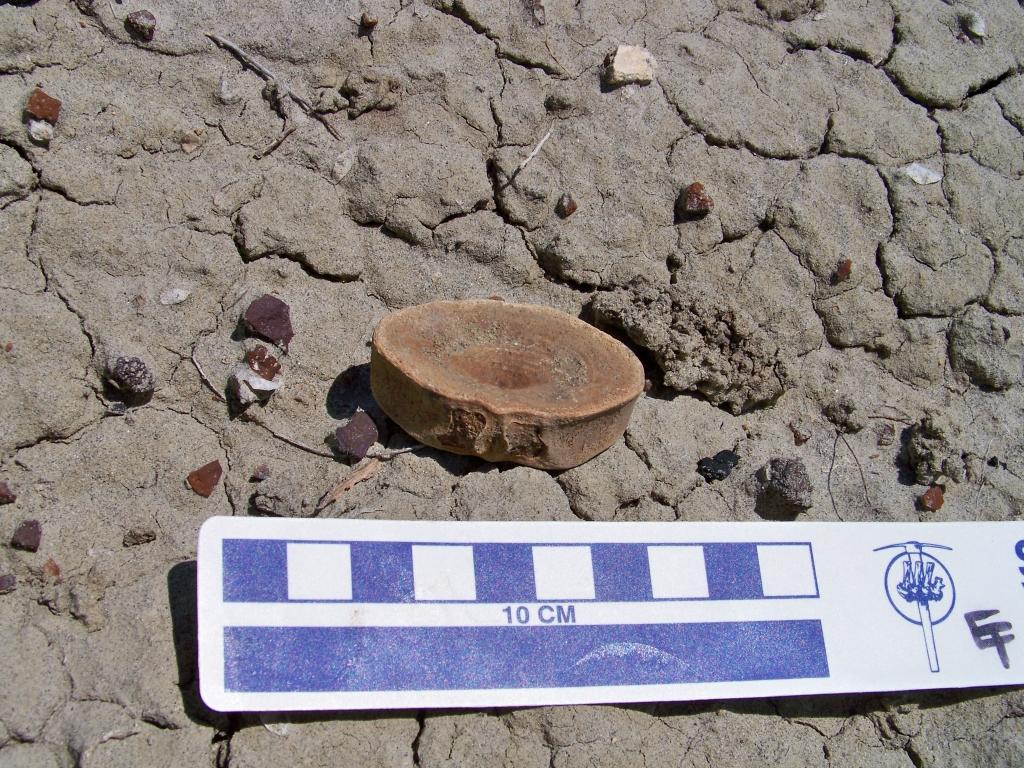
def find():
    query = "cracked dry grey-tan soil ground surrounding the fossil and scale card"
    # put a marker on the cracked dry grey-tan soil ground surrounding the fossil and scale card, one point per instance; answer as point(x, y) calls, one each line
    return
point(829, 309)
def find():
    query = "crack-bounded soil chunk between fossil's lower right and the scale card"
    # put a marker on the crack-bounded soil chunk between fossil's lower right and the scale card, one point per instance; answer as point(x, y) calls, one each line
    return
point(600, 489)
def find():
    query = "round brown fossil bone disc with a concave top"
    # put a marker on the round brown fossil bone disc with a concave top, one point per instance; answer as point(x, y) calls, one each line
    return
point(503, 381)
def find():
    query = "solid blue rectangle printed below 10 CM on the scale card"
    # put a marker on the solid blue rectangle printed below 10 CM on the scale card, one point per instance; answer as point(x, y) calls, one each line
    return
point(401, 659)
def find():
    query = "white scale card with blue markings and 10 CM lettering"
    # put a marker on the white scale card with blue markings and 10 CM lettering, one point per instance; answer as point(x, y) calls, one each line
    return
point(332, 615)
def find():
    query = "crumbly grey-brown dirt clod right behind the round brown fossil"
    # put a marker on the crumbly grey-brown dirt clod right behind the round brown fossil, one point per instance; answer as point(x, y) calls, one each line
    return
point(703, 345)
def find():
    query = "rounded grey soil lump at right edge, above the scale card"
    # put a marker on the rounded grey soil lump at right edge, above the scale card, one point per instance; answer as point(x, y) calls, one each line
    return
point(988, 348)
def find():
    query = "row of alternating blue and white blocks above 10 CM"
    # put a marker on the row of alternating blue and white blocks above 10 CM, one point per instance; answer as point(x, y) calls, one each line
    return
point(277, 571)
